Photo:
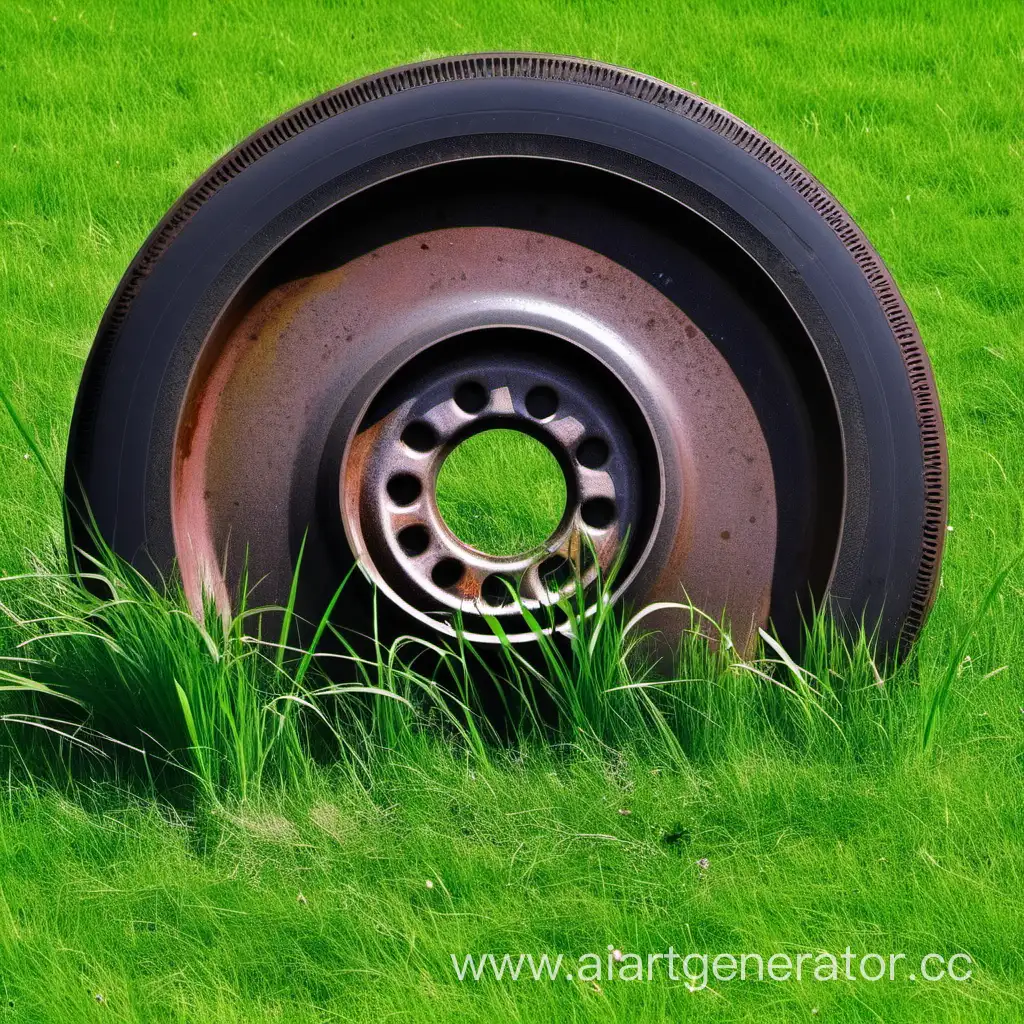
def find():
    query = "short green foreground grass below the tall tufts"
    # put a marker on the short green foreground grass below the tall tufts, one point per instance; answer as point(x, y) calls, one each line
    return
point(314, 907)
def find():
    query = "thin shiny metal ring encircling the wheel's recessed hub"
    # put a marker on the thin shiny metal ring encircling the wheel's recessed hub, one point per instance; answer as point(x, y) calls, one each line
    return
point(357, 541)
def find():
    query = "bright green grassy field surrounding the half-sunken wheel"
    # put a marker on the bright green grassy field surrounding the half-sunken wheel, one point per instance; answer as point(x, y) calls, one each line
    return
point(751, 828)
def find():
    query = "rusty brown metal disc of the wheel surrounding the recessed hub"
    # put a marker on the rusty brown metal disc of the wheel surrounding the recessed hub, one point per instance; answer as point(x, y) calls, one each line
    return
point(311, 356)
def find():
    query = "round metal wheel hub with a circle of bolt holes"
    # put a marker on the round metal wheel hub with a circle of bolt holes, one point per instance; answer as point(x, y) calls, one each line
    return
point(389, 488)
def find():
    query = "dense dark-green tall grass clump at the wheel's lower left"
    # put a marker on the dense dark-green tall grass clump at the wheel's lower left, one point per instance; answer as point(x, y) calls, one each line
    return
point(125, 667)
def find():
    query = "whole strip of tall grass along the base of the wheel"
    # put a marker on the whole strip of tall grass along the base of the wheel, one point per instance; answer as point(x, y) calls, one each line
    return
point(122, 671)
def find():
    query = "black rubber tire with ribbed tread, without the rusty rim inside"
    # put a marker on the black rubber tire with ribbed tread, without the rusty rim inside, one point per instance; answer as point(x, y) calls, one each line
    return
point(888, 496)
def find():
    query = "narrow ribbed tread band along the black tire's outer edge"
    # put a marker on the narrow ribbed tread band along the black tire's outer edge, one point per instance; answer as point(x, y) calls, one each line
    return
point(79, 477)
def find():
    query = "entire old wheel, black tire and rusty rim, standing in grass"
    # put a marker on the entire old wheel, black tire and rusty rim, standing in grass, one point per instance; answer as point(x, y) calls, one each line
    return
point(689, 291)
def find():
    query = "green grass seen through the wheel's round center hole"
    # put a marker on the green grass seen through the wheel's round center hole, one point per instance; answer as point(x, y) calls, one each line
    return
point(501, 492)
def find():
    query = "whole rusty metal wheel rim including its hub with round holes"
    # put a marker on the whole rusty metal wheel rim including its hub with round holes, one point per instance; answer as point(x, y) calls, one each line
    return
point(689, 478)
